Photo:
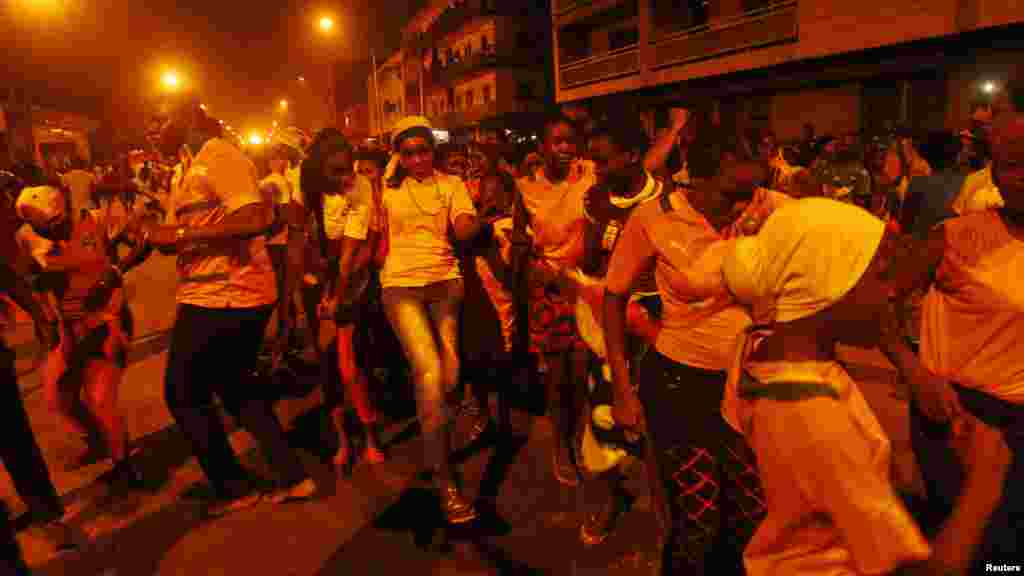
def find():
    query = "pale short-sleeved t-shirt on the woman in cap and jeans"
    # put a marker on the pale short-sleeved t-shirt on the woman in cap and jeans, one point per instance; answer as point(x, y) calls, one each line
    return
point(419, 216)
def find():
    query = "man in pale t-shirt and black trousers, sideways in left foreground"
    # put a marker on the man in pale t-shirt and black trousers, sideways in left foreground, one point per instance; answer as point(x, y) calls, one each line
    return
point(226, 297)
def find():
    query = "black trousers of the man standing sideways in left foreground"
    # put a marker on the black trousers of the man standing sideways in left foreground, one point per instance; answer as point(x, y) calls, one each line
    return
point(214, 353)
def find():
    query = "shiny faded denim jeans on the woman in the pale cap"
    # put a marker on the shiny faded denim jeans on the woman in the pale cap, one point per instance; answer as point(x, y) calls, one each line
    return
point(426, 321)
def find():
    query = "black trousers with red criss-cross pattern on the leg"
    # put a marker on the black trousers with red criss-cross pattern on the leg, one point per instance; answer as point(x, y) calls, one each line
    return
point(710, 480)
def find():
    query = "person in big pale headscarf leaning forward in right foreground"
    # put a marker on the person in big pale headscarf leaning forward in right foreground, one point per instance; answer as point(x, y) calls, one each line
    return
point(819, 274)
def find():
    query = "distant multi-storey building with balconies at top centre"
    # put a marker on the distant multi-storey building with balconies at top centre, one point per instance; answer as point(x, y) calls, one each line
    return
point(470, 65)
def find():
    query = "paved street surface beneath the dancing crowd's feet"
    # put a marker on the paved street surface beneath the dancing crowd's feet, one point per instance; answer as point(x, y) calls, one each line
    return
point(370, 524)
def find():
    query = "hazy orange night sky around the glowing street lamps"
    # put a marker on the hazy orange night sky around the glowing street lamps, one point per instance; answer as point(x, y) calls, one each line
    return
point(240, 56)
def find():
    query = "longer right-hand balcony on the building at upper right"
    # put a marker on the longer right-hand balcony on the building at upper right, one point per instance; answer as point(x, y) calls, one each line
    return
point(774, 25)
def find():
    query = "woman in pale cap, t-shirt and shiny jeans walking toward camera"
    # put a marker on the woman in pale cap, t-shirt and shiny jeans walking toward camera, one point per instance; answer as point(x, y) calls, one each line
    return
point(423, 287)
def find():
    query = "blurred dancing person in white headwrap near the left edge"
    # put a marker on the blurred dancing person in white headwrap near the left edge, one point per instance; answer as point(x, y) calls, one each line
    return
point(91, 356)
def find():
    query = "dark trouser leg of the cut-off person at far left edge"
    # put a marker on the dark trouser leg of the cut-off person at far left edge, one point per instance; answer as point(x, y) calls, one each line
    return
point(20, 452)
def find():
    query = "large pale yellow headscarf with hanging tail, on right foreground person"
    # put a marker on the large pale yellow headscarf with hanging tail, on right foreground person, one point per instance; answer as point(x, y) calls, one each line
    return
point(808, 255)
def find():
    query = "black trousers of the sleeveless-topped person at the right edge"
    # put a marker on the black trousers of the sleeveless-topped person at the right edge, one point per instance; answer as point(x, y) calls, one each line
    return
point(944, 477)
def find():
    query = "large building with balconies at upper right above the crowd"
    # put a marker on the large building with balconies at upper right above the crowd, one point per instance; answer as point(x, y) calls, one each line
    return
point(841, 66)
